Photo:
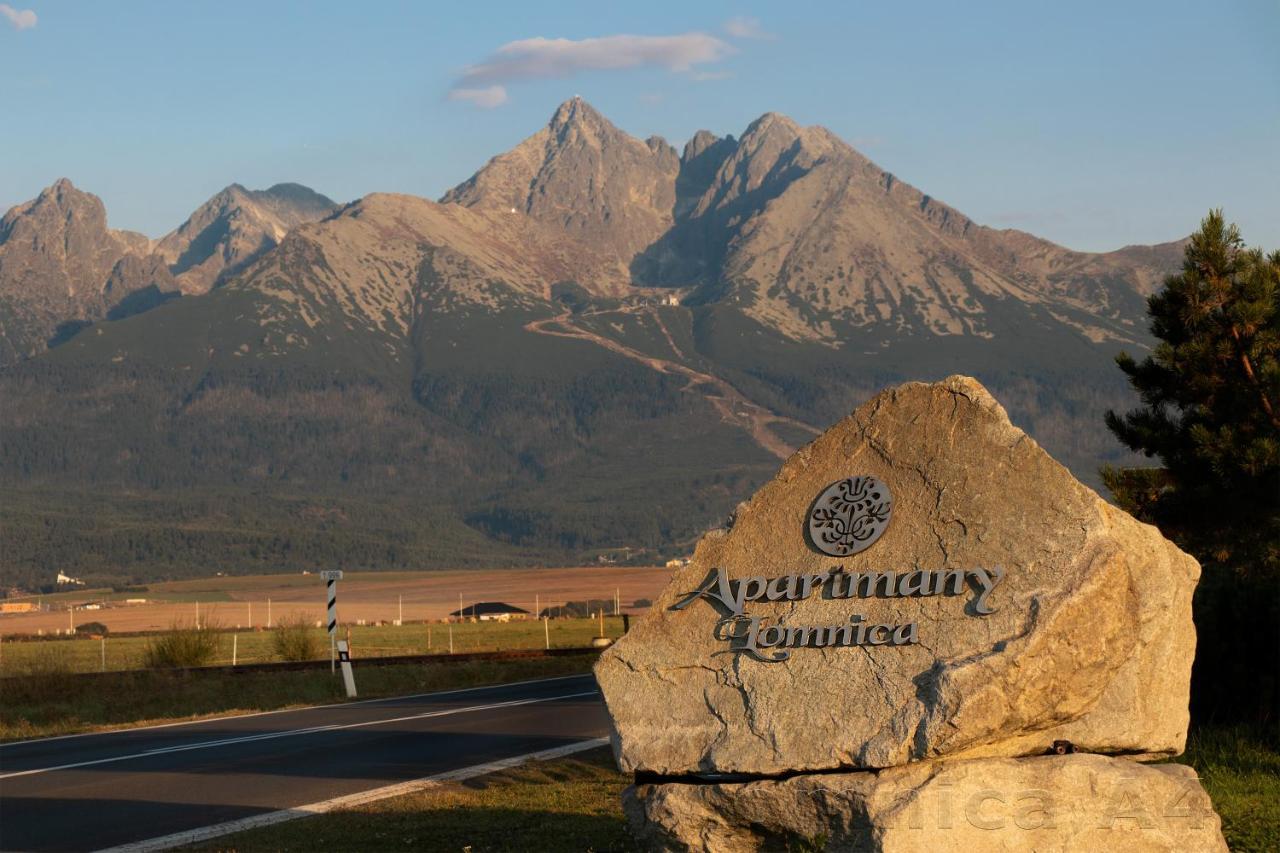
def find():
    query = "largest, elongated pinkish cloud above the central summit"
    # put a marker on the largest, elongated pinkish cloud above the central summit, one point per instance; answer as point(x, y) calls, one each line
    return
point(548, 58)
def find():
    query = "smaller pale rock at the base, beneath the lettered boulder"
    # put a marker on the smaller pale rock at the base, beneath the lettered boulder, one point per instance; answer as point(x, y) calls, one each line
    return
point(1063, 804)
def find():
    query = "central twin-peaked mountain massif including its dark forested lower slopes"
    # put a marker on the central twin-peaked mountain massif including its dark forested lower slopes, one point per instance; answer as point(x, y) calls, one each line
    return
point(510, 359)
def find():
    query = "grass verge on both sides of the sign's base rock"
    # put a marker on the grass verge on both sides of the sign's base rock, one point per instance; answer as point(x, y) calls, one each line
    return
point(575, 805)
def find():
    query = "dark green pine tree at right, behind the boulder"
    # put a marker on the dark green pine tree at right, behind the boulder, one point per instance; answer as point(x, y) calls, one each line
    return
point(1212, 414)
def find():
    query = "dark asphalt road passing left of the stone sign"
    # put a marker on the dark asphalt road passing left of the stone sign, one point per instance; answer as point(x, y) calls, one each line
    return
point(92, 792)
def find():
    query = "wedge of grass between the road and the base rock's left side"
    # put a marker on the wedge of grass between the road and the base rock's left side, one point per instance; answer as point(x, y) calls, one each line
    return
point(565, 805)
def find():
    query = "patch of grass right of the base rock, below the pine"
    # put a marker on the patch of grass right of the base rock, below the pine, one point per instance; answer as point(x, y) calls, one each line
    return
point(1241, 770)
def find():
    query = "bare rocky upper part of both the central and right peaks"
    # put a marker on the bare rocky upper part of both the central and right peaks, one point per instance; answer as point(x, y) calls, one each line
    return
point(804, 232)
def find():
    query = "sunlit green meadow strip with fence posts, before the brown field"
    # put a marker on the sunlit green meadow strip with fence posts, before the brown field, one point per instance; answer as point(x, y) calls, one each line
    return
point(257, 647)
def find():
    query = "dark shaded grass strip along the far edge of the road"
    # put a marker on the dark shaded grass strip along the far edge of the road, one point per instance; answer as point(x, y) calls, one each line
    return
point(53, 703)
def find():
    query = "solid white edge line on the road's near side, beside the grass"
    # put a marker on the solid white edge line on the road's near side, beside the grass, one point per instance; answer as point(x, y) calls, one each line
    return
point(205, 833)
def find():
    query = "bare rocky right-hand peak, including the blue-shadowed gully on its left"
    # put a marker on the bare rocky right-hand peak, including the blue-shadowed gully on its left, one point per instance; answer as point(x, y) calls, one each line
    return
point(812, 232)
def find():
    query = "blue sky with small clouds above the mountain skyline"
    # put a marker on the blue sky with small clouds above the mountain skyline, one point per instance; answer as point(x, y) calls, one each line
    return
point(1095, 125)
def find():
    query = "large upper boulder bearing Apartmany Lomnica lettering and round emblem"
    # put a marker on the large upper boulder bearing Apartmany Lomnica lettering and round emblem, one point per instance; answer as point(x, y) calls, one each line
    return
point(921, 582)
